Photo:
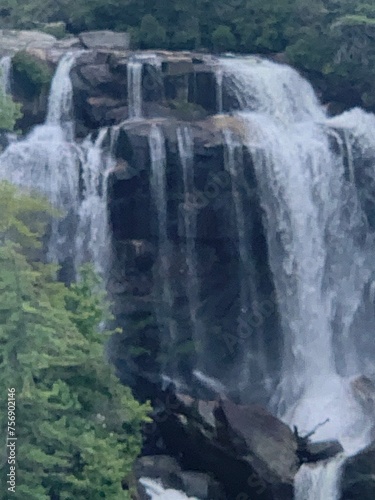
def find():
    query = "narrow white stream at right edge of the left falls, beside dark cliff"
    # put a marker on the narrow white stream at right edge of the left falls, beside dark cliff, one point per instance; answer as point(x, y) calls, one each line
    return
point(93, 242)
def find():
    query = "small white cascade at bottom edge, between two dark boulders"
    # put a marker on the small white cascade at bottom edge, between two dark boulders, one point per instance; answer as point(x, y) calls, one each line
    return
point(319, 481)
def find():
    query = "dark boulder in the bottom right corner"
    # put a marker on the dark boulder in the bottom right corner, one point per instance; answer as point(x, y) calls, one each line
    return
point(358, 478)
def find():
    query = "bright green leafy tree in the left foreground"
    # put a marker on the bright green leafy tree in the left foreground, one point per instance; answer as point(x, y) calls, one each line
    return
point(78, 429)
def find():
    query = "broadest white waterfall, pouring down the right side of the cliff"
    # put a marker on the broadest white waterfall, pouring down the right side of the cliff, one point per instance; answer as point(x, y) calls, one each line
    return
point(319, 263)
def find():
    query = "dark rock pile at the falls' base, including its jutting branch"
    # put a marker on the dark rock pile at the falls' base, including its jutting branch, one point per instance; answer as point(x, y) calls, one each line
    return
point(219, 450)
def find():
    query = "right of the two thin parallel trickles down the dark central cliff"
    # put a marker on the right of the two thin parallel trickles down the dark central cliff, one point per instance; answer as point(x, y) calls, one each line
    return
point(185, 143)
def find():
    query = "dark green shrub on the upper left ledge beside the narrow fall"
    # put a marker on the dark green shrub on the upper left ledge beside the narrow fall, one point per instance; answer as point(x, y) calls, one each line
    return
point(35, 75)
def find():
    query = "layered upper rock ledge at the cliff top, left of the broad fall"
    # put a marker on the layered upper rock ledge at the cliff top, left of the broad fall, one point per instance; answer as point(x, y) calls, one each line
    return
point(181, 85)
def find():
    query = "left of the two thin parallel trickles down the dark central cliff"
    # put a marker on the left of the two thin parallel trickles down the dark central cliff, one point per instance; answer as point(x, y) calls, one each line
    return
point(158, 187)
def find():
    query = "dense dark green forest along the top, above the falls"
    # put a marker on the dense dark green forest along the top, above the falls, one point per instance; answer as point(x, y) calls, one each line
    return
point(331, 39)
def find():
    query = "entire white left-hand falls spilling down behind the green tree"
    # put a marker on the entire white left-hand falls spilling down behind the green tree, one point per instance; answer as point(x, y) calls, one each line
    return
point(49, 161)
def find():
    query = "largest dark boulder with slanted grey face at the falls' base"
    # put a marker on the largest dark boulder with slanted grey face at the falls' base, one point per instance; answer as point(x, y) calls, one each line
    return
point(249, 451)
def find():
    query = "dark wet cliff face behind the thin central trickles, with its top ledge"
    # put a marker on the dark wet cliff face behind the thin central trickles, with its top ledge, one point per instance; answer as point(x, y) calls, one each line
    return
point(178, 95)
